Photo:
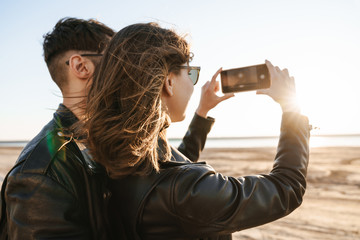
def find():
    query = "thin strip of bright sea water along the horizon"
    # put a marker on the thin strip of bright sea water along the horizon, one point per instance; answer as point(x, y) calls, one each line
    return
point(251, 142)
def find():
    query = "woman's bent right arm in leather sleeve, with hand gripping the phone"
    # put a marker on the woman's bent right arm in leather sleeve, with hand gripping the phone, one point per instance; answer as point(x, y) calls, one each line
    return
point(221, 204)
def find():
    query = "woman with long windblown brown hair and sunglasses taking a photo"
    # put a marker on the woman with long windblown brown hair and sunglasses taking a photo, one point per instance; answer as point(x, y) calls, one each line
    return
point(143, 85)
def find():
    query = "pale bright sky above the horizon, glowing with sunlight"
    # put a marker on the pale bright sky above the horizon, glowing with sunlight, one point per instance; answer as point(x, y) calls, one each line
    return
point(318, 41)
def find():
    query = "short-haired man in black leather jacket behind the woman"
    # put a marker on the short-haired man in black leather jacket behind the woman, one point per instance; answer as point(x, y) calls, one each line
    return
point(55, 190)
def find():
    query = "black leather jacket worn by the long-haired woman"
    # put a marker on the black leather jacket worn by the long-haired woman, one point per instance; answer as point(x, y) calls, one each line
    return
point(192, 201)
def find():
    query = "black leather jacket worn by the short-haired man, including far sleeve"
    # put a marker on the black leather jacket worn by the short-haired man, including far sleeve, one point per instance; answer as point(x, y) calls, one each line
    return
point(56, 192)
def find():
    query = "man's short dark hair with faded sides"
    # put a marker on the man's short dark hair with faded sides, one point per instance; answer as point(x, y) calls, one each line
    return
point(73, 34)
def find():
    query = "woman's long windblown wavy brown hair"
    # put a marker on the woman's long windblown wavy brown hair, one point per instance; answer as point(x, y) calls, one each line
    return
point(125, 119)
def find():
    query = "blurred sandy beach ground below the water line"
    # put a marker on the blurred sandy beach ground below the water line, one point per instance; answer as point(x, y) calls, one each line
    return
point(331, 207)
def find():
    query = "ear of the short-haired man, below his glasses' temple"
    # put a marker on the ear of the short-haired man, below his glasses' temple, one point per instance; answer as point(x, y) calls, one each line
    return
point(81, 67)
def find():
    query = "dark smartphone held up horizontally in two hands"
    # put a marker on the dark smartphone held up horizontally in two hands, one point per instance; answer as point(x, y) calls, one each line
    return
point(245, 78)
